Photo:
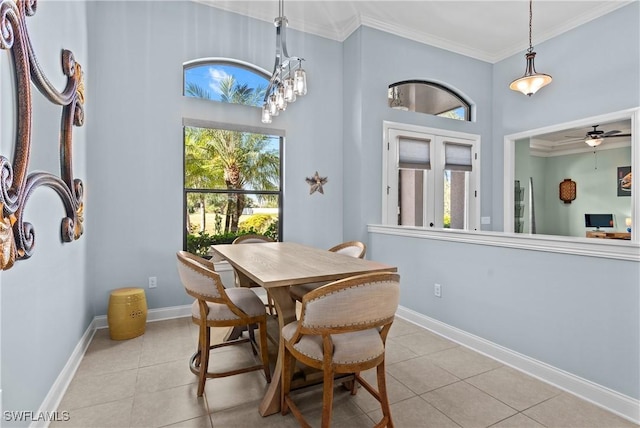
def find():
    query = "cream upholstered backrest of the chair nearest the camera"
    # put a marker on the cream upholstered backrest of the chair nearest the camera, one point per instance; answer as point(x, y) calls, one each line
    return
point(357, 302)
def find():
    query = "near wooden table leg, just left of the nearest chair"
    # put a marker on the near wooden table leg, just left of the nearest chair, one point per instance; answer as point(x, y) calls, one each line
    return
point(286, 310)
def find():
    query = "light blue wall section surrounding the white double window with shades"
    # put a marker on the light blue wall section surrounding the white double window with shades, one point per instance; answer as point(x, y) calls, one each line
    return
point(375, 60)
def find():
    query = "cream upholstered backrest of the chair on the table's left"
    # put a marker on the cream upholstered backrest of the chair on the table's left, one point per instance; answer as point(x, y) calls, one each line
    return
point(198, 277)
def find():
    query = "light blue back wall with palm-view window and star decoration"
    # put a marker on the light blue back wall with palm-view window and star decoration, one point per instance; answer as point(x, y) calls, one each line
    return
point(135, 201)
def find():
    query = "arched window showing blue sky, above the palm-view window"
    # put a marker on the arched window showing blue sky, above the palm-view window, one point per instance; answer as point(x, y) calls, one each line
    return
point(225, 80)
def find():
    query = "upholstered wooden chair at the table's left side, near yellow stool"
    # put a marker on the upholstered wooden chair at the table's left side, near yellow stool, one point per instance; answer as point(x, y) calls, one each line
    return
point(216, 306)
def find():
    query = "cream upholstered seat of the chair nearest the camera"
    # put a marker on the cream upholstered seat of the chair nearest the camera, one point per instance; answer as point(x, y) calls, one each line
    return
point(349, 348)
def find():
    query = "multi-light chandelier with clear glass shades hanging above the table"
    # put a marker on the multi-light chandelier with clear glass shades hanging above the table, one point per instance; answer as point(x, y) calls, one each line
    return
point(289, 80)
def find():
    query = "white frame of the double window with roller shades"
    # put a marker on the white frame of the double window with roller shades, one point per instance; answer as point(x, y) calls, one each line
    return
point(434, 204)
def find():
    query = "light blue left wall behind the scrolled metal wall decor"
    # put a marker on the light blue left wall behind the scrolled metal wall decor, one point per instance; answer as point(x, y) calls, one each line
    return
point(45, 300)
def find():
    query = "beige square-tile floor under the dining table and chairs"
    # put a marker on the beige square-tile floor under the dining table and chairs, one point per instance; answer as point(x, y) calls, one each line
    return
point(432, 382)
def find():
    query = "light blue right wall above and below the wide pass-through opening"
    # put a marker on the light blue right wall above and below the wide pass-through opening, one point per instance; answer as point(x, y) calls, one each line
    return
point(579, 314)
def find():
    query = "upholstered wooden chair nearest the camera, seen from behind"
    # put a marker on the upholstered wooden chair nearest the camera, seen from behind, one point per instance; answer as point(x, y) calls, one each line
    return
point(342, 329)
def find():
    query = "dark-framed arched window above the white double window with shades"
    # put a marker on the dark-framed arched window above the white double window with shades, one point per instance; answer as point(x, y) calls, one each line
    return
point(430, 98)
